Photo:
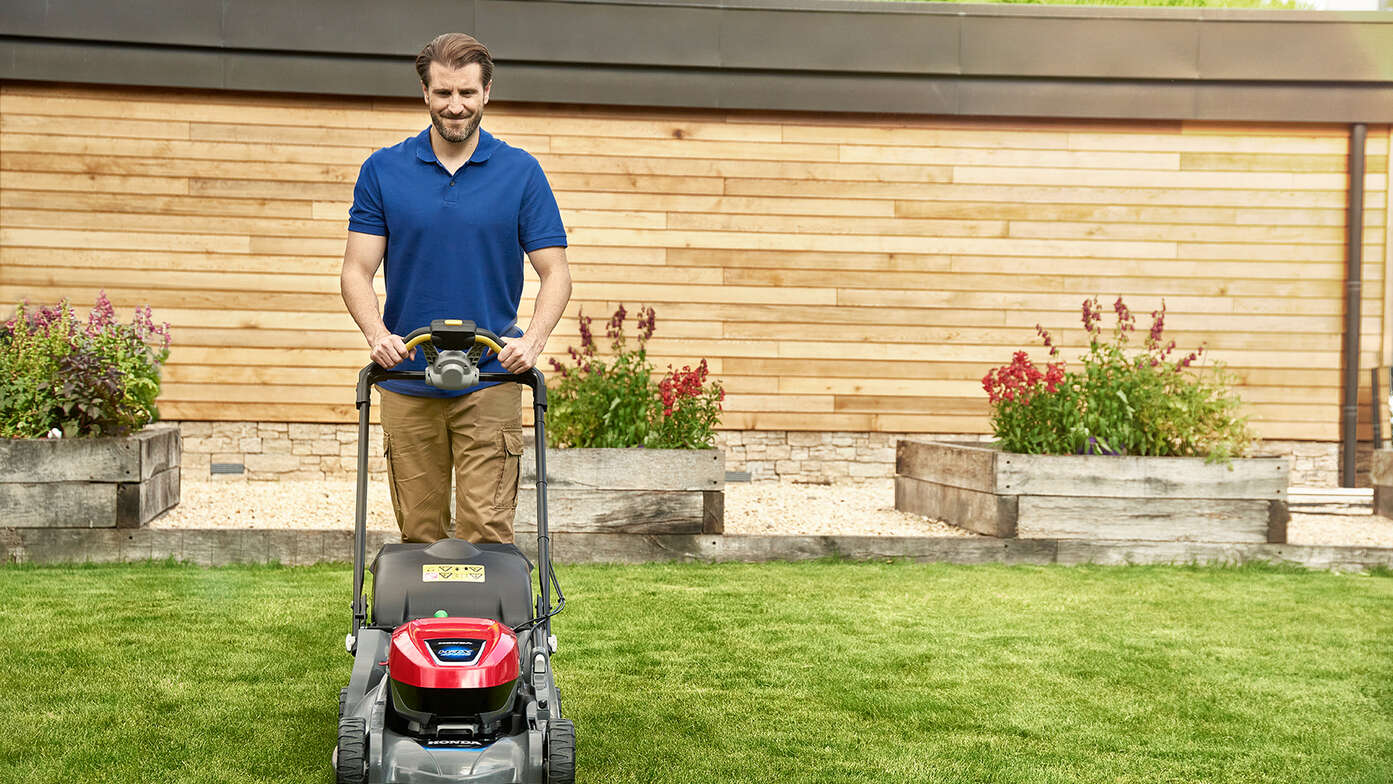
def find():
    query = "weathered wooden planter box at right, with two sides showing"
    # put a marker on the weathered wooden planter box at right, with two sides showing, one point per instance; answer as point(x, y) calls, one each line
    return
point(1155, 499)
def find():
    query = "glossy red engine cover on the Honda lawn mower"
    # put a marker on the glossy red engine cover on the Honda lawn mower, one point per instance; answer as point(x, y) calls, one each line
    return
point(453, 654)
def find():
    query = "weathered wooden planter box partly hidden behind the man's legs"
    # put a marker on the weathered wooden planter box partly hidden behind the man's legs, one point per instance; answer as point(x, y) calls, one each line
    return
point(632, 491)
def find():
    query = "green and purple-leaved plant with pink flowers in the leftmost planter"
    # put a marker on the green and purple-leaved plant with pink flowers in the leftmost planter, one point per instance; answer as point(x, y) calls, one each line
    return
point(94, 379)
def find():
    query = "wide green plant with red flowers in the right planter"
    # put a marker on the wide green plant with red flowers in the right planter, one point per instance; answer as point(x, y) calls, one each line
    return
point(1146, 405)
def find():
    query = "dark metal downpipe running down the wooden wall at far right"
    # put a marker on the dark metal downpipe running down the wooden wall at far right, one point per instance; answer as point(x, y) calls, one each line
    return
point(1353, 288)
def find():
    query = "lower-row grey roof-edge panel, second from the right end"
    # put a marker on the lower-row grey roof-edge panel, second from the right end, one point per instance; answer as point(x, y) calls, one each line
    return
point(1075, 98)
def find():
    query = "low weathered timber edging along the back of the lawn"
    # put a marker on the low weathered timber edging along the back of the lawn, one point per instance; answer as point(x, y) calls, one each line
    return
point(314, 547)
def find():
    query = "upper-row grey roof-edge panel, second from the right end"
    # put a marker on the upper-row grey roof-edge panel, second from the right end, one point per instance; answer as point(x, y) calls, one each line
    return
point(1142, 49)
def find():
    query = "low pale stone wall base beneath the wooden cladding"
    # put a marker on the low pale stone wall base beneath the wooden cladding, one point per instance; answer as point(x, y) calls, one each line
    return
point(279, 450)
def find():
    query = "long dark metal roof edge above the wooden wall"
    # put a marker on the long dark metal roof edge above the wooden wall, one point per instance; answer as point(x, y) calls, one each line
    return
point(747, 55)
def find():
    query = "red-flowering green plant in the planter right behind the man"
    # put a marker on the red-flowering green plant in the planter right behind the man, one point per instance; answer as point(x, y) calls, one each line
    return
point(618, 405)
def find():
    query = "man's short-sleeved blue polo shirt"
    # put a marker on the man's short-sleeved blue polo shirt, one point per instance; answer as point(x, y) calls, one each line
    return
point(455, 243)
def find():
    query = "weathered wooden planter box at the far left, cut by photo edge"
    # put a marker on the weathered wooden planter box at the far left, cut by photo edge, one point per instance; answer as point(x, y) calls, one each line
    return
point(90, 483)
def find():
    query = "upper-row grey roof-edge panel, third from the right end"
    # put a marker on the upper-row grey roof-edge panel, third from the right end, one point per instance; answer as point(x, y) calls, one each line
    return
point(916, 44)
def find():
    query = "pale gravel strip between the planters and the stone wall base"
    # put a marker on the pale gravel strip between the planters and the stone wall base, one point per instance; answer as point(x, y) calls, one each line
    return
point(760, 508)
